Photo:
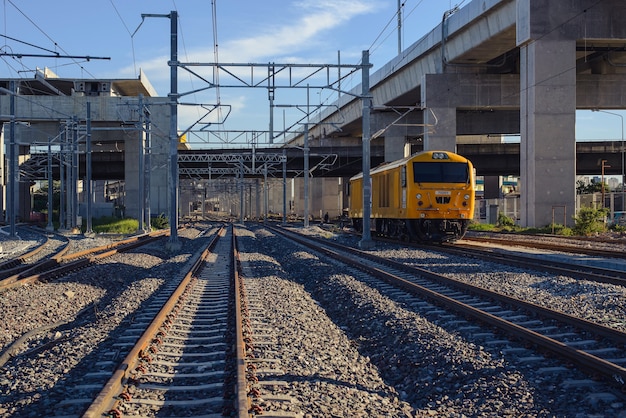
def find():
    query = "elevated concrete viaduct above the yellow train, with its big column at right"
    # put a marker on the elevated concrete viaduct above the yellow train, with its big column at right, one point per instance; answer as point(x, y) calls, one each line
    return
point(501, 67)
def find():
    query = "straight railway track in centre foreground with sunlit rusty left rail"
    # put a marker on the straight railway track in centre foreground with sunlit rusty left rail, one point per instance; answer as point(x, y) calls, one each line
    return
point(180, 364)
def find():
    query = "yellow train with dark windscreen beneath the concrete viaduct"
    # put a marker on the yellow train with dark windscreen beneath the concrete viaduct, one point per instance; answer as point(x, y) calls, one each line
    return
point(427, 197)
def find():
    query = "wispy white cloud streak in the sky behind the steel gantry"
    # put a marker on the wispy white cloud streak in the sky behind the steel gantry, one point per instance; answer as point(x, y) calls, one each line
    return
point(288, 42)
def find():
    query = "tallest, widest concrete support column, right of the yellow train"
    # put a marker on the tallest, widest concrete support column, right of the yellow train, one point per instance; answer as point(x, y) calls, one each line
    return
point(548, 137)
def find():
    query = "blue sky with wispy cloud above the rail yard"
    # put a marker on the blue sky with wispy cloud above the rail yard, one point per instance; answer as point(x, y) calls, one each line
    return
point(248, 31)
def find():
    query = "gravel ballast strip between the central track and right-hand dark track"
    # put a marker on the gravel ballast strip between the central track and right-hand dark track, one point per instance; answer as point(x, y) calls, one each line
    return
point(424, 369)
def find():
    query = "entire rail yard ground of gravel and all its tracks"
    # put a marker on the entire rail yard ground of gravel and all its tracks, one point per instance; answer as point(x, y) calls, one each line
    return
point(129, 328)
